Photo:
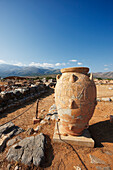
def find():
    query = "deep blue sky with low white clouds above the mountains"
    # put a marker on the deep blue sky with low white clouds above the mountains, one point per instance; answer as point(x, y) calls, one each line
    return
point(57, 33)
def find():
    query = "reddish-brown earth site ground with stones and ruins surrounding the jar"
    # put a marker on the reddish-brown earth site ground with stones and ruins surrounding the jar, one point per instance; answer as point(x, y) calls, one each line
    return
point(25, 145)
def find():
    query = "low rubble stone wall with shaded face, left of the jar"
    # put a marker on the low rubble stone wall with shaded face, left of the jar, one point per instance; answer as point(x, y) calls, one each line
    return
point(18, 96)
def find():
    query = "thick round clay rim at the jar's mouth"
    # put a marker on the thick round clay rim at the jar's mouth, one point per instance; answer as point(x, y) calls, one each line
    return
point(83, 70)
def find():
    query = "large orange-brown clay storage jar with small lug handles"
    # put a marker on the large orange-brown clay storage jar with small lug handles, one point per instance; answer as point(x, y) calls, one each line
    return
point(75, 98)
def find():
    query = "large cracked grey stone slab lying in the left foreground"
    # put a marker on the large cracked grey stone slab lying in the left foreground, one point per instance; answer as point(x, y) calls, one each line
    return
point(29, 150)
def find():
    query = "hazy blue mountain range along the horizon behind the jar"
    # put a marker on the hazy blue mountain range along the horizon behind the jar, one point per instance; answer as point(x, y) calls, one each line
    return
point(12, 70)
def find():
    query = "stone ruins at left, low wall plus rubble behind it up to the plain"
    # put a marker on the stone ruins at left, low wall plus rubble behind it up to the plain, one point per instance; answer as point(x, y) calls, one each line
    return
point(16, 92)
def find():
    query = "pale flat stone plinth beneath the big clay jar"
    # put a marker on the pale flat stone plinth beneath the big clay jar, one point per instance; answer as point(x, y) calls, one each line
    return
point(83, 140)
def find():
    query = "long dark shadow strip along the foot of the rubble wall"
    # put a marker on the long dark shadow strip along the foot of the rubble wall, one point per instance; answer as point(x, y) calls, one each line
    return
point(7, 111)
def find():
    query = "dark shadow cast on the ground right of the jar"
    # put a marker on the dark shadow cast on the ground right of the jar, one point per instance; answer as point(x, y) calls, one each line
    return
point(102, 132)
